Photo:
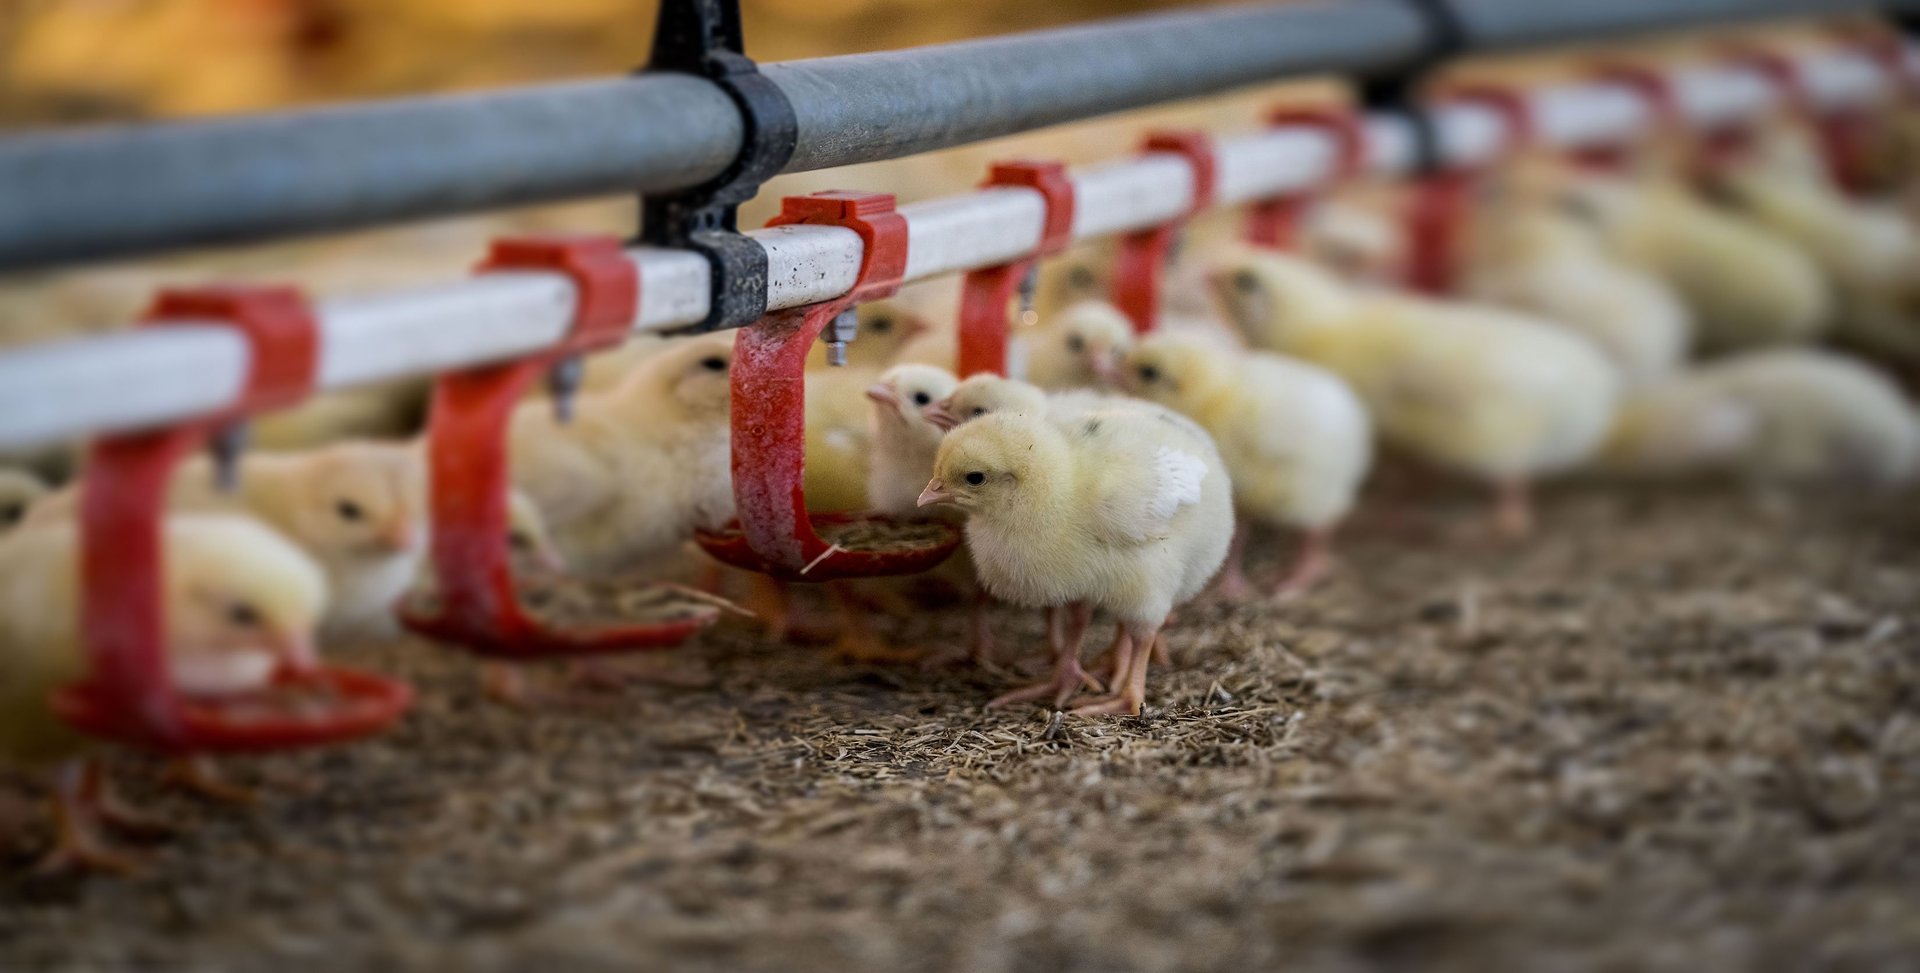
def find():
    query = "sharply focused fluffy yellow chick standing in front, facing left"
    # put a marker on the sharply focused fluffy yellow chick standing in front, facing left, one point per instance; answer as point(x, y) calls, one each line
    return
point(1124, 510)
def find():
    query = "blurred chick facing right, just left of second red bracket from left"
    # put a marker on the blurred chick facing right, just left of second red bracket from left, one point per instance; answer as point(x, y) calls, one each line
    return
point(354, 508)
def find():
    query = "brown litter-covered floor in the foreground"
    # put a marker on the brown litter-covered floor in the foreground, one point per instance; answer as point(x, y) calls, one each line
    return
point(1679, 730)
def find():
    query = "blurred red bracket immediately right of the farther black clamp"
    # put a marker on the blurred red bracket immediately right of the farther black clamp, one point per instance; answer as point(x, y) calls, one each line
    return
point(1441, 202)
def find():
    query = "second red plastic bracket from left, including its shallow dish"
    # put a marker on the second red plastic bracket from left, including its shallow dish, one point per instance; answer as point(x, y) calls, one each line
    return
point(475, 602)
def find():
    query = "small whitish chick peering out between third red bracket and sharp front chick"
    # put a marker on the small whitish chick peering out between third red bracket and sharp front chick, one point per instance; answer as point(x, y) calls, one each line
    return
point(905, 440)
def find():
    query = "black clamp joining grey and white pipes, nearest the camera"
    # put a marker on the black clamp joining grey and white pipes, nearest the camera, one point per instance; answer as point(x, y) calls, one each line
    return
point(704, 37)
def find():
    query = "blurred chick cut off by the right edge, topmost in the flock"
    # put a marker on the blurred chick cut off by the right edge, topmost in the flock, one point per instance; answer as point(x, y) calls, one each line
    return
point(1869, 252)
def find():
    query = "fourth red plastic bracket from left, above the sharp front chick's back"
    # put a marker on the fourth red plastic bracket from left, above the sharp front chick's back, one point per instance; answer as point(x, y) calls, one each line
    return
point(986, 293)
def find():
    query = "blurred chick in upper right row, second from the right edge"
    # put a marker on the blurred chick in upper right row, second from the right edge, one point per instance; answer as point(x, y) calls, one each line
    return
point(1744, 283)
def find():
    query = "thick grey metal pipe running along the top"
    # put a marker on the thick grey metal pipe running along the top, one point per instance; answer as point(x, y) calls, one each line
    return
point(120, 191)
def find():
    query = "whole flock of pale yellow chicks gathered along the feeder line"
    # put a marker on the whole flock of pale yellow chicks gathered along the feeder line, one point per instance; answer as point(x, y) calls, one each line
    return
point(1113, 471)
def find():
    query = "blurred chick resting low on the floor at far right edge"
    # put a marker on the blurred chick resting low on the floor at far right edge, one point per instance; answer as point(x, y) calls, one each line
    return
point(1785, 414)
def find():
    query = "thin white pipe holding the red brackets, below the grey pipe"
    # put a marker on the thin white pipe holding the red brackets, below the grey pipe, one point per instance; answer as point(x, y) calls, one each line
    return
point(151, 379)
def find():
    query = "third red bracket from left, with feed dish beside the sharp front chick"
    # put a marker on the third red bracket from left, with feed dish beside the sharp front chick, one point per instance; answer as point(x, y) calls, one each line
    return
point(775, 533)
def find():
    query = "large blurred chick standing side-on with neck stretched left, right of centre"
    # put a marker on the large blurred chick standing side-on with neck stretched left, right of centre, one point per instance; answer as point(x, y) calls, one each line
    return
point(1491, 394)
